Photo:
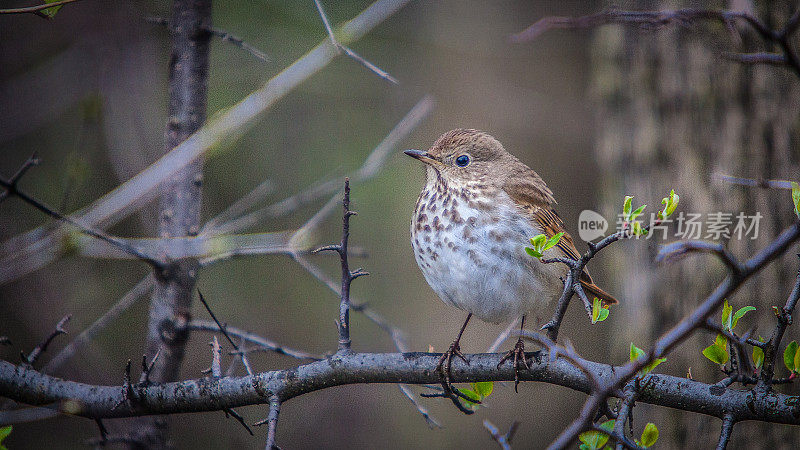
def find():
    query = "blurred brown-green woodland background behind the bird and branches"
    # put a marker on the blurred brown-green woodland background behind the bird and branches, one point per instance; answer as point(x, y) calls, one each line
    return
point(598, 114)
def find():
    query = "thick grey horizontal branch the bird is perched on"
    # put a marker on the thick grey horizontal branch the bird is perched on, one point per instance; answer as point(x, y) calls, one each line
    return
point(206, 394)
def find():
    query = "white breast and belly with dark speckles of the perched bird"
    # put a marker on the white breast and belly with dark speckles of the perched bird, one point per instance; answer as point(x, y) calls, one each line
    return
point(481, 267)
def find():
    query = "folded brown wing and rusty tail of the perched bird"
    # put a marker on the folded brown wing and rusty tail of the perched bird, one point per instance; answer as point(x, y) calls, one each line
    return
point(536, 203)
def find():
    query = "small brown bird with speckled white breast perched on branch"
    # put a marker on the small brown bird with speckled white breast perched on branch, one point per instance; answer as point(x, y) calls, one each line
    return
point(473, 219)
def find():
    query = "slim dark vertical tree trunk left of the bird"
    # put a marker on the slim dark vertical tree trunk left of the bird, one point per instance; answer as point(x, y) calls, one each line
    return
point(179, 213)
